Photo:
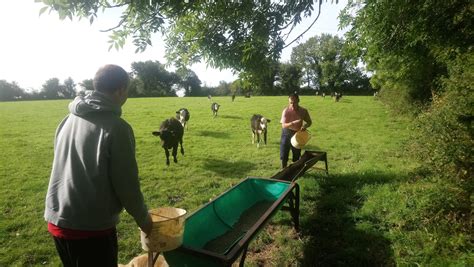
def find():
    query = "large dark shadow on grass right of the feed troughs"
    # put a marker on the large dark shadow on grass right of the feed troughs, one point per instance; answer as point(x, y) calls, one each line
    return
point(334, 238)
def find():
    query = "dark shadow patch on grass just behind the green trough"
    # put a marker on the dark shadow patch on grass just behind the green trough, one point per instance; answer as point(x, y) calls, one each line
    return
point(228, 169)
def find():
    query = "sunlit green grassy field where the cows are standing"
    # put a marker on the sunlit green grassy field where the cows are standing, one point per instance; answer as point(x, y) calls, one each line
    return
point(342, 215)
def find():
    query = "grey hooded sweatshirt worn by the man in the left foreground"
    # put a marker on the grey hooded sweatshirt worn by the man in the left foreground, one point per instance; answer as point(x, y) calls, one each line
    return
point(94, 174)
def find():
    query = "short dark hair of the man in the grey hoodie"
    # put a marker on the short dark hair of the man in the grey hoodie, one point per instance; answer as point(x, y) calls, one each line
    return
point(110, 78)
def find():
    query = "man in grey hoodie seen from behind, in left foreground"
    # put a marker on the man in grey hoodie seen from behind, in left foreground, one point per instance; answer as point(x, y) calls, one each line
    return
point(94, 175)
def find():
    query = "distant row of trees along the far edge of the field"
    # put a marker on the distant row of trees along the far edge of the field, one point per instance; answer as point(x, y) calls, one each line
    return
point(318, 65)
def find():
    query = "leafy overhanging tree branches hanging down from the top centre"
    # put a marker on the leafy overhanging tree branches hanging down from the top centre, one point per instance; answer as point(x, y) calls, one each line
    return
point(247, 36)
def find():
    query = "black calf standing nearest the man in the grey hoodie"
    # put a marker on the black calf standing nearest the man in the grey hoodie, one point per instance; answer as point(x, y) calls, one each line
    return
point(171, 134)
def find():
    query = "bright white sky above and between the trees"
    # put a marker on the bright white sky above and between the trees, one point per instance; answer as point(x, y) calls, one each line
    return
point(36, 48)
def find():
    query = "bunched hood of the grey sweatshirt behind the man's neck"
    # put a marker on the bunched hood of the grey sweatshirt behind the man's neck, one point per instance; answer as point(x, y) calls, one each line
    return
point(92, 103)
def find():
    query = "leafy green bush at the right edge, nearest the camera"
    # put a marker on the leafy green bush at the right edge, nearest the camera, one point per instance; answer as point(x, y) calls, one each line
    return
point(443, 140)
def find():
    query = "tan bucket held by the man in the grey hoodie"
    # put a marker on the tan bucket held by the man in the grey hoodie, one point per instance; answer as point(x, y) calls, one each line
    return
point(167, 232)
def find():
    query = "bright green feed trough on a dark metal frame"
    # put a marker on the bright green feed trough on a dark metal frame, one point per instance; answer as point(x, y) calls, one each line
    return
point(219, 232)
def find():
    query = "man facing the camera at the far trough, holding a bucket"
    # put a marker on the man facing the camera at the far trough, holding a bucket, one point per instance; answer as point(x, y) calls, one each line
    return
point(294, 118)
